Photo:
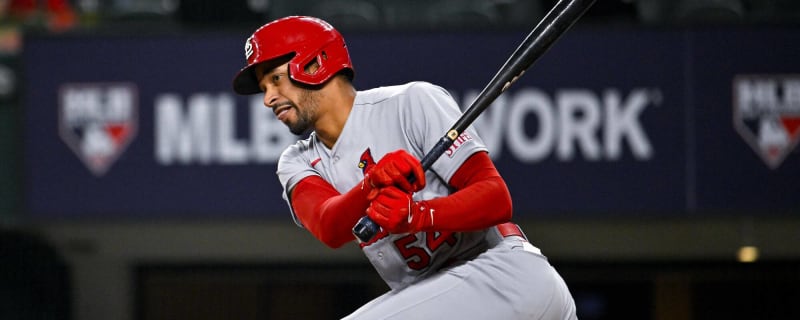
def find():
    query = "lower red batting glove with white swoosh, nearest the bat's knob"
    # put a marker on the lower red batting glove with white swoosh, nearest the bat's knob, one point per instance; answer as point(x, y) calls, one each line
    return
point(395, 211)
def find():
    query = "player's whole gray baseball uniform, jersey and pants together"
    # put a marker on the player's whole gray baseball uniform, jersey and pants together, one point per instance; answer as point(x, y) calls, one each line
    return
point(488, 276)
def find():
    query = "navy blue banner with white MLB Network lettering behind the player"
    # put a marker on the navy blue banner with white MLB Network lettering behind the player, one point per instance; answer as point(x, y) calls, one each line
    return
point(610, 121)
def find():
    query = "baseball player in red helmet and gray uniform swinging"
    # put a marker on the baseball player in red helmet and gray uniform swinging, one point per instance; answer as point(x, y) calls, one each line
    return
point(446, 246)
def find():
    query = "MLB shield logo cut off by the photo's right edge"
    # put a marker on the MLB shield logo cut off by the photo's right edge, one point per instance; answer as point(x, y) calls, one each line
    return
point(766, 113)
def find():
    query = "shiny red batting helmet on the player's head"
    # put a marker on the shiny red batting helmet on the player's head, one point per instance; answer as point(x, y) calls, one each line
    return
point(307, 39)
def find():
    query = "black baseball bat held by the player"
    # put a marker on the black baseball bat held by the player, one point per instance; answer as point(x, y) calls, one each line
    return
point(554, 24)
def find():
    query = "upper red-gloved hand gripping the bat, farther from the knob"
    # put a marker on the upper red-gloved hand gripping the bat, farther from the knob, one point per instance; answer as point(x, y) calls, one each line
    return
point(395, 169)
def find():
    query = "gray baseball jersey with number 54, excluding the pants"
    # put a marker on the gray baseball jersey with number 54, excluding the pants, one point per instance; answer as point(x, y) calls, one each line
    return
point(412, 117)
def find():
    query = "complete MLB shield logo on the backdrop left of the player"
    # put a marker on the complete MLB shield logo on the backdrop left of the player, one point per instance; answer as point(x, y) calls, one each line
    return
point(98, 121)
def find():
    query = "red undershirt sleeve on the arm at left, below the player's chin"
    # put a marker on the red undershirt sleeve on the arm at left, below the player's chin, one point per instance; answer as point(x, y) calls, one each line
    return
point(327, 214)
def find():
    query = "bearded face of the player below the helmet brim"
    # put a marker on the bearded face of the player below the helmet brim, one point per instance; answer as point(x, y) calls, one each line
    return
point(295, 106)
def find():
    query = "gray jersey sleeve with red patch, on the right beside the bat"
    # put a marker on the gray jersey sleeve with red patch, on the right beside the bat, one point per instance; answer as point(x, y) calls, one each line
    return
point(430, 113)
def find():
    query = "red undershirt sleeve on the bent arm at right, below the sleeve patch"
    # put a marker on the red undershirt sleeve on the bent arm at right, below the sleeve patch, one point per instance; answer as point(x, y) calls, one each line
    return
point(481, 198)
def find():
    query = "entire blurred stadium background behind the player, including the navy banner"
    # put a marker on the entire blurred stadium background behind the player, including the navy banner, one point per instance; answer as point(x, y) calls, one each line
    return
point(651, 154)
